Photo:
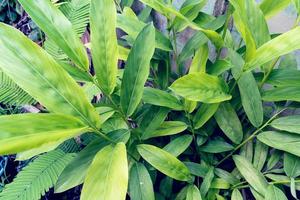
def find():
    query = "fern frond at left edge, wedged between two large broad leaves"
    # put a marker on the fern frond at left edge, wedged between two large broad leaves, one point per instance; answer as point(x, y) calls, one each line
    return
point(12, 94)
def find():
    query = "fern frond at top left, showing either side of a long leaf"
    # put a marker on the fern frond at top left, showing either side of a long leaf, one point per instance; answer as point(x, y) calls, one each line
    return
point(77, 11)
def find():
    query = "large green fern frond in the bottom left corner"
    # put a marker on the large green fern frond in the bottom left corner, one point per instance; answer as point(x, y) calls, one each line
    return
point(36, 178)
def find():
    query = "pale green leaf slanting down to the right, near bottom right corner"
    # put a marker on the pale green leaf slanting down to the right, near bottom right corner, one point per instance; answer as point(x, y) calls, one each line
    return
point(256, 180)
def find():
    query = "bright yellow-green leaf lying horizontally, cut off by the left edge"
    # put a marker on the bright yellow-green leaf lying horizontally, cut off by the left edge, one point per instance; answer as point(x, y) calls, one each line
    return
point(26, 131)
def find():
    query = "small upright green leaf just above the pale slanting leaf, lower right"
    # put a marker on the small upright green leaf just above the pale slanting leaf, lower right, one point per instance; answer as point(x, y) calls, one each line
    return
point(260, 155)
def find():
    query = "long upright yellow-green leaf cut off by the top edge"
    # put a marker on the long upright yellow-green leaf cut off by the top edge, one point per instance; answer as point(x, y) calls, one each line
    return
point(104, 43)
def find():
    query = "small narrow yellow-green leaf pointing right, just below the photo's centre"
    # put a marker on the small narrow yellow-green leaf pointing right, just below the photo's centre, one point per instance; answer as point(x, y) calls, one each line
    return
point(167, 128)
